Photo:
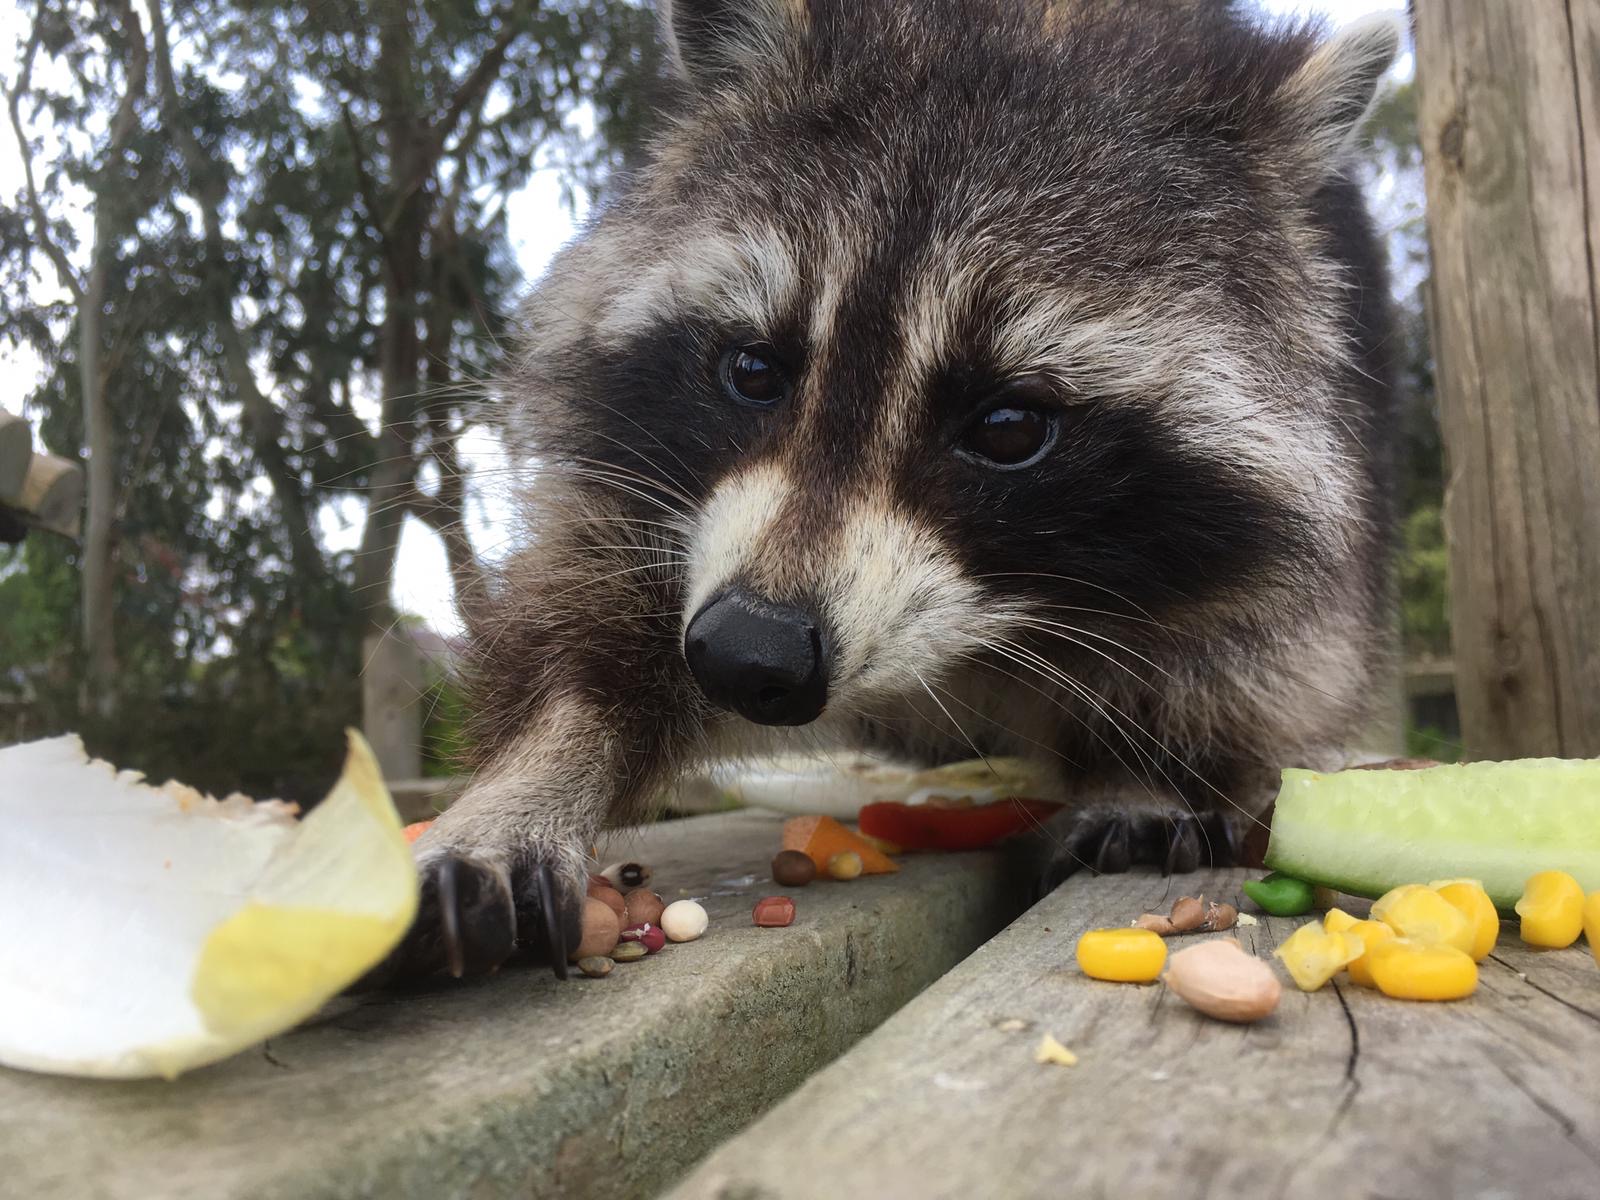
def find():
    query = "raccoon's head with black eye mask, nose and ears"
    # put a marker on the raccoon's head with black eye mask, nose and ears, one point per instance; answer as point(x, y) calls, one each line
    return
point(934, 326)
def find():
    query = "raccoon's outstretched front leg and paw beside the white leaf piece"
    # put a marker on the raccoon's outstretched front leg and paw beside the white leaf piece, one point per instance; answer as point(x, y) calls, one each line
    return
point(583, 706)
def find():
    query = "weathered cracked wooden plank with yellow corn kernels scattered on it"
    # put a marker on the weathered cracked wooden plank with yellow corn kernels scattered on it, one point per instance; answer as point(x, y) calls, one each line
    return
point(1342, 1094)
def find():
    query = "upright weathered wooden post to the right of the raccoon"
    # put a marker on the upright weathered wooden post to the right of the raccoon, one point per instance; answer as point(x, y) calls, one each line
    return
point(1510, 122)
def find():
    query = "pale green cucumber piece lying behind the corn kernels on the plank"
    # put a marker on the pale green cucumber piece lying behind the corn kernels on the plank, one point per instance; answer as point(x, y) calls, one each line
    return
point(1369, 831)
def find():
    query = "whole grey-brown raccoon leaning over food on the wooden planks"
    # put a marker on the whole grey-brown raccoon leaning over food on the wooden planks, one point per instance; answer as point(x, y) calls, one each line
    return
point(950, 378)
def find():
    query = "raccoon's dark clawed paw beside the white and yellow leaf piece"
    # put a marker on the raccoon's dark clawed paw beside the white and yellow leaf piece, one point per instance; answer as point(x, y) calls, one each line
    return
point(478, 911)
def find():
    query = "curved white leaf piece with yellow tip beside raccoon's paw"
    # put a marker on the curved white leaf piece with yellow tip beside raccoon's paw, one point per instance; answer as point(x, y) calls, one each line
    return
point(153, 930)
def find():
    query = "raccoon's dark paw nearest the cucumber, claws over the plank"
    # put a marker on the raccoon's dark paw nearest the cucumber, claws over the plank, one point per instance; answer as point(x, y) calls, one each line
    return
point(1110, 841)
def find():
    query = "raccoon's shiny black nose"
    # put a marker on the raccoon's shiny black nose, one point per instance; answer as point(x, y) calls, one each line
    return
point(761, 660)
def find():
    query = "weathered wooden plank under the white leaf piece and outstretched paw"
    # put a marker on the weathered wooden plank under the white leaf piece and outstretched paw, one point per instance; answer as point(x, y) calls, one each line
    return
point(521, 1086)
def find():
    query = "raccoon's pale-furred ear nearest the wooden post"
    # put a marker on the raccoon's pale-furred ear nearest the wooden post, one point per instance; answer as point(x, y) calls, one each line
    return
point(1329, 98)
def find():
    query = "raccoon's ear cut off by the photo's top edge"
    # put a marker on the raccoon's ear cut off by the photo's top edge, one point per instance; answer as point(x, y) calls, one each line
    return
point(716, 41)
